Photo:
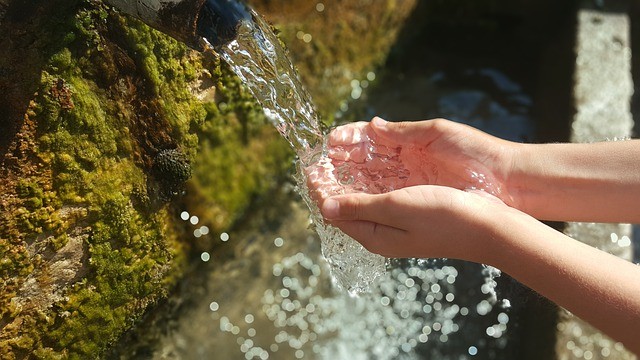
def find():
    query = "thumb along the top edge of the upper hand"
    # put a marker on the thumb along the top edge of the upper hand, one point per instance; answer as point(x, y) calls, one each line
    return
point(413, 132)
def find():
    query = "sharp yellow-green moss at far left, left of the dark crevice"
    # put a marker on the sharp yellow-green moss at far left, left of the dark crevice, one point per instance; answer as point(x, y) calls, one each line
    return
point(133, 255)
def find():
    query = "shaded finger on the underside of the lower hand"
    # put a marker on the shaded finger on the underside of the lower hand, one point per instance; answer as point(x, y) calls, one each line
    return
point(376, 238)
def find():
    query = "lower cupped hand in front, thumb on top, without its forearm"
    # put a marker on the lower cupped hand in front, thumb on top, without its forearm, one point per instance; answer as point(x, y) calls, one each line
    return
point(420, 221)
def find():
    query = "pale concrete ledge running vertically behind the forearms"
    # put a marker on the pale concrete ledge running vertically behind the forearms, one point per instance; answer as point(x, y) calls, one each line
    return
point(602, 97)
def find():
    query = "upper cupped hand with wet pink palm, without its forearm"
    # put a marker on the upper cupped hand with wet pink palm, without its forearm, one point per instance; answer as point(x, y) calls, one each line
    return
point(431, 152)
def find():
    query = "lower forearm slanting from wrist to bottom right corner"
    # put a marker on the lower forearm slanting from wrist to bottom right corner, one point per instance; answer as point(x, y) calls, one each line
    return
point(597, 287)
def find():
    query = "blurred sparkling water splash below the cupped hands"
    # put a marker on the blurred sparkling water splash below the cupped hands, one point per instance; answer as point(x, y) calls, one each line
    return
point(413, 312)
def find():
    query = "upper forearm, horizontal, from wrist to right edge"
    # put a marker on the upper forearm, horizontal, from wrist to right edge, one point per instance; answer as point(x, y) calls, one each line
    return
point(597, 182)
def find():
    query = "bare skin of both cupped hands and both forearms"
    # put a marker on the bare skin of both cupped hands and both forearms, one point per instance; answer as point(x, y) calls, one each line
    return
point(436, 215)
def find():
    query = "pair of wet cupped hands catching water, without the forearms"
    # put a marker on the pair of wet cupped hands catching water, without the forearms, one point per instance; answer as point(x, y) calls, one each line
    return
point(453, 185)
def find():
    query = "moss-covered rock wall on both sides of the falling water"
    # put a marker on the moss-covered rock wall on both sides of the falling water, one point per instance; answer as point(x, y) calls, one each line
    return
point(110, 130)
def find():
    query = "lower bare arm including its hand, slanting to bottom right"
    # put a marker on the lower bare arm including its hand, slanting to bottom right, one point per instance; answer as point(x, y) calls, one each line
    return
point(434, 221)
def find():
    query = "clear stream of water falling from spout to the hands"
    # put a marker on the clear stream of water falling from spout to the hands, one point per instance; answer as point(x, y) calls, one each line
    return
point(258, 59)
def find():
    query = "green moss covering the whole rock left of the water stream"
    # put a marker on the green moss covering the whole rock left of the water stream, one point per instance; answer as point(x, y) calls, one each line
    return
point(98, 88)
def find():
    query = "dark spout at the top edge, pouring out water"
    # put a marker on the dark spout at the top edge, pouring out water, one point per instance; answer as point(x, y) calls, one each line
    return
point(189, 20)
